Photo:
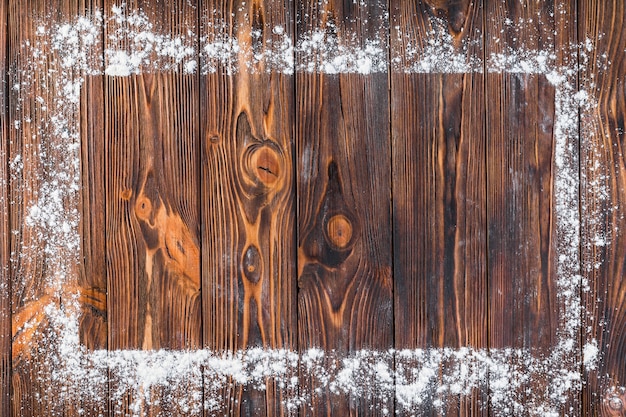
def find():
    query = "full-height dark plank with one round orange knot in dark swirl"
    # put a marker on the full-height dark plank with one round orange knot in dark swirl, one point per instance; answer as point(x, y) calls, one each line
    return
point(344, 179)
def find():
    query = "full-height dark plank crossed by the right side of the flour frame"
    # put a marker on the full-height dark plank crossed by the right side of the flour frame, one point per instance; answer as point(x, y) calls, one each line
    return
point(524, 311)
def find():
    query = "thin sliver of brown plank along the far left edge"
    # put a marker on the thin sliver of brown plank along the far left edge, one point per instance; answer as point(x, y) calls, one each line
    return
point(5, 231)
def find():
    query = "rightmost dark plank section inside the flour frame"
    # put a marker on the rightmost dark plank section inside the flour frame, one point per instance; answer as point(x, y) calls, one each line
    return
point(520, 175)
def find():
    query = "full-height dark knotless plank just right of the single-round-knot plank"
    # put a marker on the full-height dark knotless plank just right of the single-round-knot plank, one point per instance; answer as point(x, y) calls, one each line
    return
point(439, 201)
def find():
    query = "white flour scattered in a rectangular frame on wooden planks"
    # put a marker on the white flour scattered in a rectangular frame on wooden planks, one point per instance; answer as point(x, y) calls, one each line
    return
point(417, 378)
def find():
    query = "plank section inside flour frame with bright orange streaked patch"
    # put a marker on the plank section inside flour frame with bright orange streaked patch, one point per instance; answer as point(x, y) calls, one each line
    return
point(153, 248)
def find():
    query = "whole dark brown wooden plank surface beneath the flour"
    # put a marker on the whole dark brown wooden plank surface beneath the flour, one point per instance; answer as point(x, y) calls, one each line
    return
point(237, 204)
